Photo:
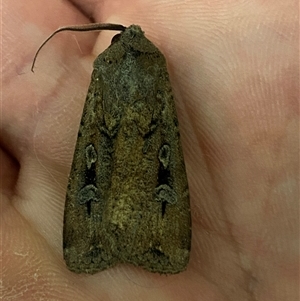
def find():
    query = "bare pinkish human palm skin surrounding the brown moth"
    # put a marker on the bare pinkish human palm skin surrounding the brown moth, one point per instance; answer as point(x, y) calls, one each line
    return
point(234, 70)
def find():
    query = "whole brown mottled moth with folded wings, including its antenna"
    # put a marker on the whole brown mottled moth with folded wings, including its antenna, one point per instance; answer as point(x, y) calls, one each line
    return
point(127, 198)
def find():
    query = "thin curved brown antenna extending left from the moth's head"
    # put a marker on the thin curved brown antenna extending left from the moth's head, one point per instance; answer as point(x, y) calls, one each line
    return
point(84, 27)
